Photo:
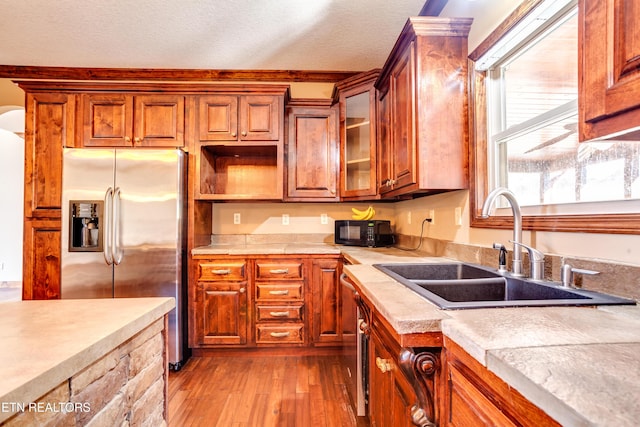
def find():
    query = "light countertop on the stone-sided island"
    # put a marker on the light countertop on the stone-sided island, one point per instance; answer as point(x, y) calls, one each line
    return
point(46, 342)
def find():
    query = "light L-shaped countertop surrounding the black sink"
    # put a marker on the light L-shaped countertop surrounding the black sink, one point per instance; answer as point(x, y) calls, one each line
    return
point(580, 365)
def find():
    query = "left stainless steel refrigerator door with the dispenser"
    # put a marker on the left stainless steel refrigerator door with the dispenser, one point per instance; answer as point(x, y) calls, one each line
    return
point(86, 176)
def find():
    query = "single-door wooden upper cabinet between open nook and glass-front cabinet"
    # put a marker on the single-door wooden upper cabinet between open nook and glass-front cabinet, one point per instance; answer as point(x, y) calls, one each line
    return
point(312, 152)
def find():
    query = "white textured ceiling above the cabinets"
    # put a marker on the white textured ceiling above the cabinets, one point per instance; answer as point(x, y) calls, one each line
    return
point(345, 35)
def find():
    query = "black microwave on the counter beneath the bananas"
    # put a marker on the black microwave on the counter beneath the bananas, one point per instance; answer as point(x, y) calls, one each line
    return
point(364, 233)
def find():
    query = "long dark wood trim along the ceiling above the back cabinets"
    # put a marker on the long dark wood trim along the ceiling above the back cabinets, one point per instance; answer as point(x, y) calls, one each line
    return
point(167, 74)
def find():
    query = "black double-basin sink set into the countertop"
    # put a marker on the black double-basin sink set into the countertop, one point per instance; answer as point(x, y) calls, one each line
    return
point(454, 286)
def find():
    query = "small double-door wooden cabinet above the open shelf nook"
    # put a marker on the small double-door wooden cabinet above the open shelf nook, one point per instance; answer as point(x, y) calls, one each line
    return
point(240, 117)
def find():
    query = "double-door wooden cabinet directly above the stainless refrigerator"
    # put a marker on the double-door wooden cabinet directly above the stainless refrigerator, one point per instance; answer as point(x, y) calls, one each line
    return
point(126, 120)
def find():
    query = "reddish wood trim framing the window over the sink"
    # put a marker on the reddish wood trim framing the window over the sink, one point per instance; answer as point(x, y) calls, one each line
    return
point(478, 183)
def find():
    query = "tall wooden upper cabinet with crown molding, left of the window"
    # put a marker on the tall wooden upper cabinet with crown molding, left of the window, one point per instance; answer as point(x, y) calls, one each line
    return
point(422, 91)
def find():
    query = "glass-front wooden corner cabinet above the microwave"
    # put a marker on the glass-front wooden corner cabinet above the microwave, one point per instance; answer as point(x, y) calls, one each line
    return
point(358, 136)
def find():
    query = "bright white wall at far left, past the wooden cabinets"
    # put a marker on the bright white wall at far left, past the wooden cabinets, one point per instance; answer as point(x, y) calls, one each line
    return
point(11, 206)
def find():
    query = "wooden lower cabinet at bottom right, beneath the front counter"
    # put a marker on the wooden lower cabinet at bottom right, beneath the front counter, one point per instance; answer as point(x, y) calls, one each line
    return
point(476, 397)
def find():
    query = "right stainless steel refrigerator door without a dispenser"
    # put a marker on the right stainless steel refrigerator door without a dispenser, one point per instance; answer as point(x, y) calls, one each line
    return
point(149, 205)
